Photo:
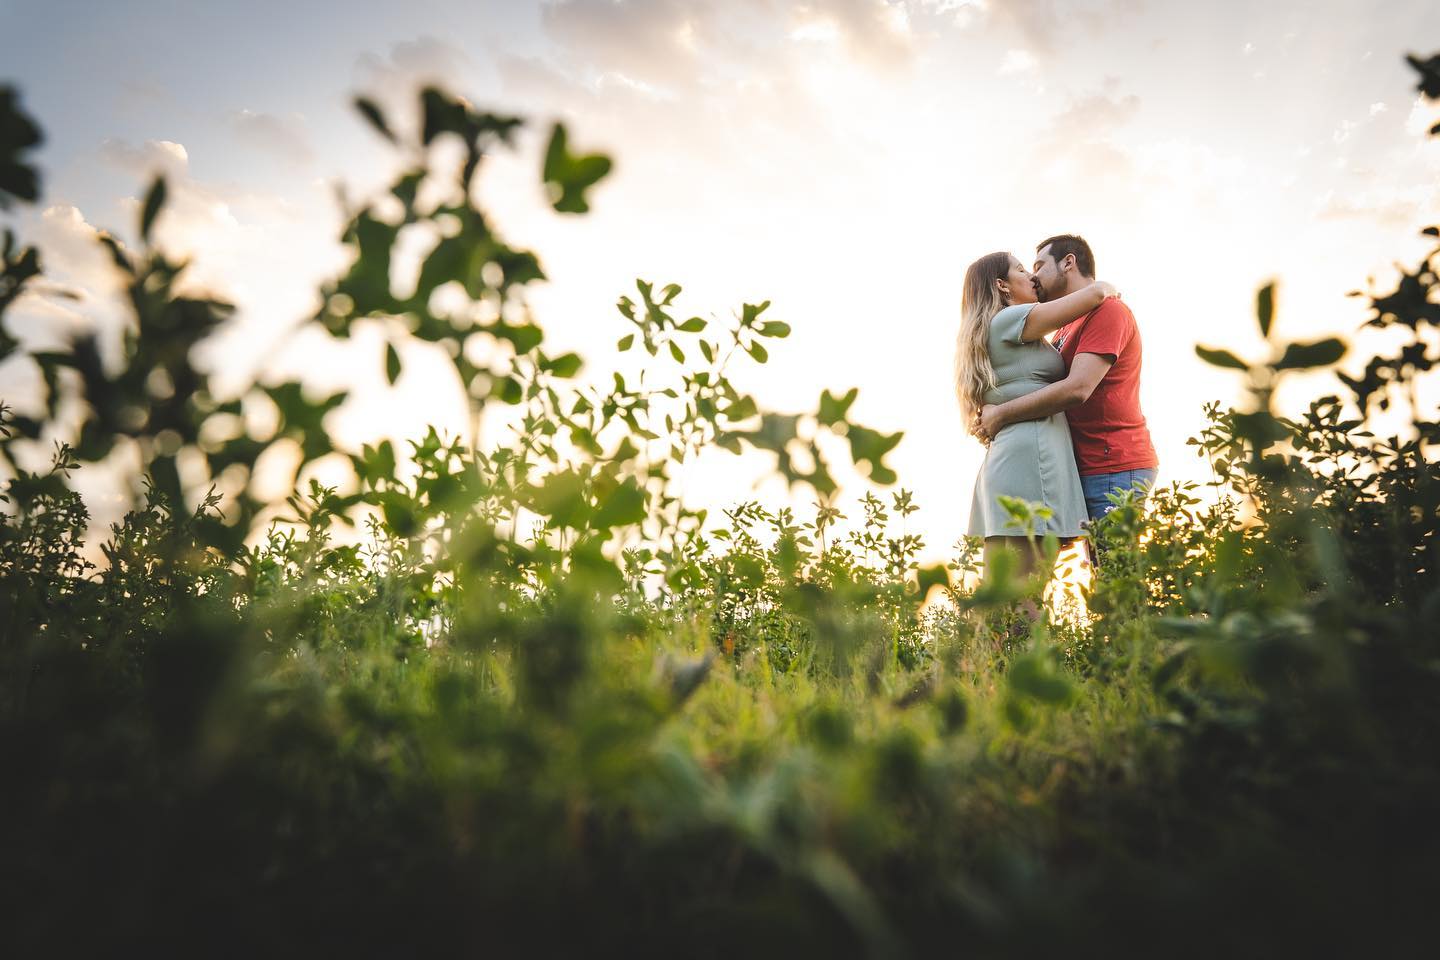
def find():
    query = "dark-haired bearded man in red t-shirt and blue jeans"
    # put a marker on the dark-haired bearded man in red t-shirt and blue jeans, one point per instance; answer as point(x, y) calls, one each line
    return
point(1101, 394)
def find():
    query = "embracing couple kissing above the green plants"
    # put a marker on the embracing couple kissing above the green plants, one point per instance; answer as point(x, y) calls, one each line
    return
point(1061, 415)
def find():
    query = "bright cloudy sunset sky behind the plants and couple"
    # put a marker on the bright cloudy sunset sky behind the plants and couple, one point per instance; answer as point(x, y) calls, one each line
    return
point(845, 160)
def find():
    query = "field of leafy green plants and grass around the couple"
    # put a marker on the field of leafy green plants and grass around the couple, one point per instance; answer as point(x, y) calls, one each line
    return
point(544, 707)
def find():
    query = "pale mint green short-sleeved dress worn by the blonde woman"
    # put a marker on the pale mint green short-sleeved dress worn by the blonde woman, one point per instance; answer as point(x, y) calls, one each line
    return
point(1032, 460)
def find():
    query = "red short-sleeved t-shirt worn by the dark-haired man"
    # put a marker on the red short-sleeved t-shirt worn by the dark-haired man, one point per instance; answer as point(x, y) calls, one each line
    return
point(1108, 430)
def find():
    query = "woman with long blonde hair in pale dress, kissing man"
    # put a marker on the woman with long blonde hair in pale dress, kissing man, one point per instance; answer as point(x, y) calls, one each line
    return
point(1002, 355)
